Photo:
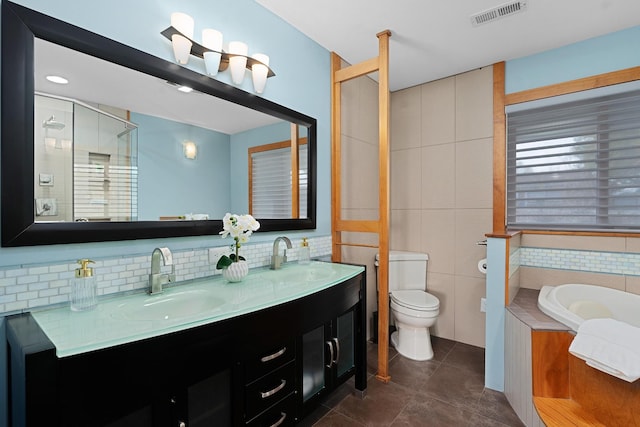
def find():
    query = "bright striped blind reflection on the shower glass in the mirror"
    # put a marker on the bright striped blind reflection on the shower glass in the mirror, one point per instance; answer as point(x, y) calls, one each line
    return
point(105, 192)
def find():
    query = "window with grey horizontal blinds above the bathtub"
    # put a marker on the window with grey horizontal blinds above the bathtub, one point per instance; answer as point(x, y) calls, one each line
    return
point(573, 162)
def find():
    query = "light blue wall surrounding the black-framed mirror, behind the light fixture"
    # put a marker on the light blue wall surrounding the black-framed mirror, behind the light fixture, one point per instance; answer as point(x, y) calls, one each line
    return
point(302, 83)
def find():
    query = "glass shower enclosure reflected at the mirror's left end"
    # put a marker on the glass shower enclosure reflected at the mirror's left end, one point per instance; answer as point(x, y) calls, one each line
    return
point(86, 162)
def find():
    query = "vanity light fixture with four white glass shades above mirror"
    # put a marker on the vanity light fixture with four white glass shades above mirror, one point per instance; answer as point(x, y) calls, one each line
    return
point(215, 58)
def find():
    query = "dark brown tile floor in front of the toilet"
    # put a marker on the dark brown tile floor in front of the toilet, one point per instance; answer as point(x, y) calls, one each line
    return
point(446, 391)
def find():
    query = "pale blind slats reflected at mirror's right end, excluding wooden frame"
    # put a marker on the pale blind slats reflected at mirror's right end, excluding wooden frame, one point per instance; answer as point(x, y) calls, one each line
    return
point(271, 183)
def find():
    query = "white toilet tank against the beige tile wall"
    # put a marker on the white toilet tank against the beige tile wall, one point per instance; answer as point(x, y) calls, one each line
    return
point(407, 270)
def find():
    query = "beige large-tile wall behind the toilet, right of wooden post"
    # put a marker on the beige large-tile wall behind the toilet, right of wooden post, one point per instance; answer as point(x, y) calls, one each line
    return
point(441, 191)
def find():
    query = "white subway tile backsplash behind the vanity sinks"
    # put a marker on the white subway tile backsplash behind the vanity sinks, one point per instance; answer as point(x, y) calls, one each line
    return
point(25, 287)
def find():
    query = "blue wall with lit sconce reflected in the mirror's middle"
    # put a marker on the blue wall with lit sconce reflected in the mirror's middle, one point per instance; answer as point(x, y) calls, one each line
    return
point(169, 183)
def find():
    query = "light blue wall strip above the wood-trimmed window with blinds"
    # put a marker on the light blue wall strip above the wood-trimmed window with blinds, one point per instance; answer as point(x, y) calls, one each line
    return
point(611, 52)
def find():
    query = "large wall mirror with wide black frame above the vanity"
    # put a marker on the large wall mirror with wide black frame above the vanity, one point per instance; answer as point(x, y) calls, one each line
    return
point(107, 156)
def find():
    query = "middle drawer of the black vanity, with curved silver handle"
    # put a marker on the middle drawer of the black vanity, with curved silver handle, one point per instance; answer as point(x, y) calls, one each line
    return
point(269, 389)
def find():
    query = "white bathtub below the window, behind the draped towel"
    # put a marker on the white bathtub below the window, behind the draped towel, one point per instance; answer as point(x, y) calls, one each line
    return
point(571, 304)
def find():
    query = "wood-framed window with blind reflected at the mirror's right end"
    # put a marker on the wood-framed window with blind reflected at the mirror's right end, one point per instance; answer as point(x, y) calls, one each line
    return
point(272, 193)
